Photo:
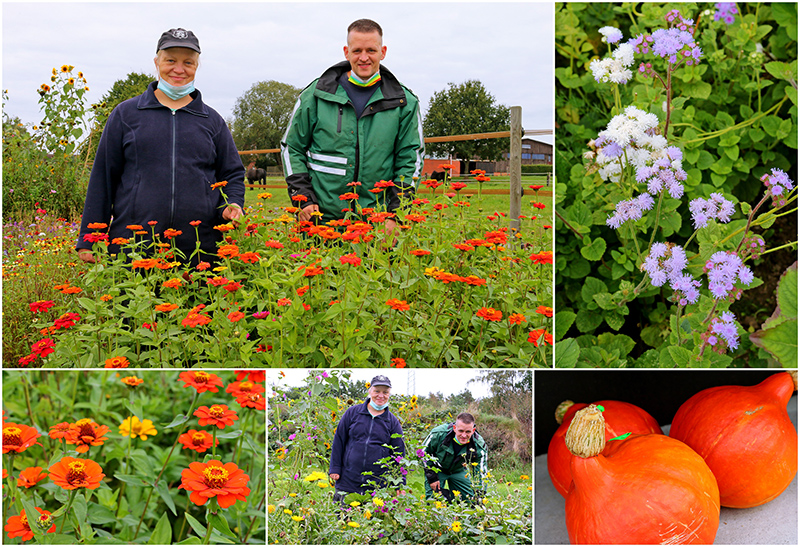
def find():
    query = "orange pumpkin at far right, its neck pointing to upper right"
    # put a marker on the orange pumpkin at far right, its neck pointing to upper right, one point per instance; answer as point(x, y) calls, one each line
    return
point(745, 436)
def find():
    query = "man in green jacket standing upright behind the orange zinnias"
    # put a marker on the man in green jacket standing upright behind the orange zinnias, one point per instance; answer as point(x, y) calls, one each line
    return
point(354, 124)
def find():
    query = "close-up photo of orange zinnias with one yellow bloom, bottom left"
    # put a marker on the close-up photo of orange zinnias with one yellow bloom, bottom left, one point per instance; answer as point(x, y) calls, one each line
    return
point(156, 457)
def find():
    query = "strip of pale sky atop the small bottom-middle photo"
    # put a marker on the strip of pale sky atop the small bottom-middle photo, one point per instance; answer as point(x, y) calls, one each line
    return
point(447, 381)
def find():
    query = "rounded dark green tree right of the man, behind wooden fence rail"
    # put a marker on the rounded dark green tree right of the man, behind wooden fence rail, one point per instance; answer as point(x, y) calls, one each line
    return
point(462, 109)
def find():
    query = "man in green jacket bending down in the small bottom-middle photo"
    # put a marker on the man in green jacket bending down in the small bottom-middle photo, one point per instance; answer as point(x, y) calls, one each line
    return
point(460, 463)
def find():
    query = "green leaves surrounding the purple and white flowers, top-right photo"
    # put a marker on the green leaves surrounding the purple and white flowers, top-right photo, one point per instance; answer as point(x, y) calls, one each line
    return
point(734, 116)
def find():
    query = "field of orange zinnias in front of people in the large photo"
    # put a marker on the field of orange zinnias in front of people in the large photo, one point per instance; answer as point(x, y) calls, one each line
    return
point(455, 287)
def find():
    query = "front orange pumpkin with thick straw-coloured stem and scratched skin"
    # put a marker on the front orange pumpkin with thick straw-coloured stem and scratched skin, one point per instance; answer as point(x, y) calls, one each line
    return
point(644, 489)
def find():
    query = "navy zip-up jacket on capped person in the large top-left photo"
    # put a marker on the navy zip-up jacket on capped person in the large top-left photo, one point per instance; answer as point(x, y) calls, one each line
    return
point(158, 164)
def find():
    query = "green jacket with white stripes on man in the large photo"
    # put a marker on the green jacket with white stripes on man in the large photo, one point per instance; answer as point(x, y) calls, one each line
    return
point(326, 146)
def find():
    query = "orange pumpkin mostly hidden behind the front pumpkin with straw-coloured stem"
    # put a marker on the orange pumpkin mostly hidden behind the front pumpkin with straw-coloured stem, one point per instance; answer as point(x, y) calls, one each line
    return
point(620, 418)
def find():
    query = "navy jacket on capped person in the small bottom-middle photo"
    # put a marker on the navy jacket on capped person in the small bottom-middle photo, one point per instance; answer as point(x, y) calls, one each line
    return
point(357, 446)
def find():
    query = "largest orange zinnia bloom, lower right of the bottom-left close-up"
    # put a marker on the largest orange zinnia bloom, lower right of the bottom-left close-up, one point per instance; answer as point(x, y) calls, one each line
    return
point(226, 482)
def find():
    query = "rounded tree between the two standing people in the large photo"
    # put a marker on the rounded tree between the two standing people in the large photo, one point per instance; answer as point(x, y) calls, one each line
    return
point(261, 115)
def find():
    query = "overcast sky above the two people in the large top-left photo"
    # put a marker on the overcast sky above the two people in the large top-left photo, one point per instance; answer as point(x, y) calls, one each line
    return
point(507, 46)
